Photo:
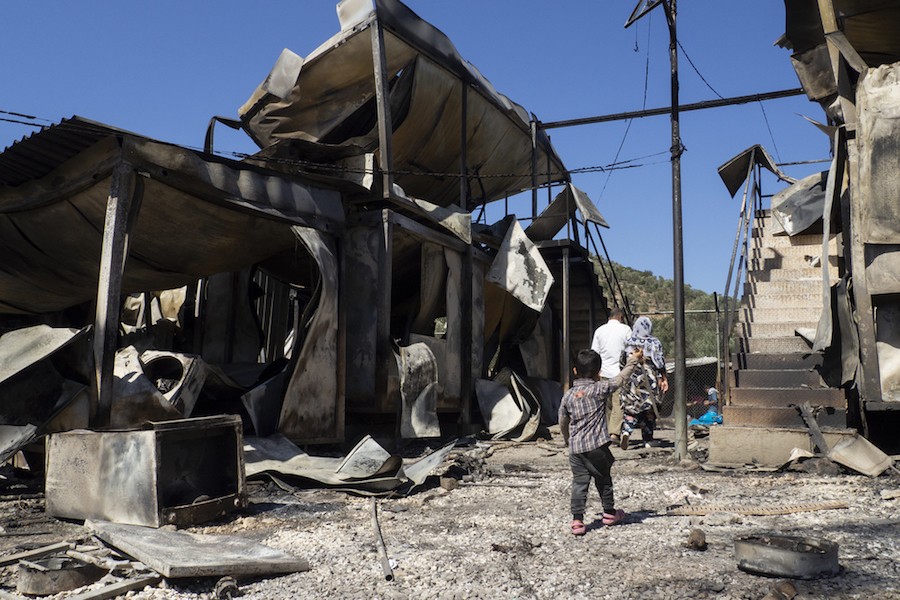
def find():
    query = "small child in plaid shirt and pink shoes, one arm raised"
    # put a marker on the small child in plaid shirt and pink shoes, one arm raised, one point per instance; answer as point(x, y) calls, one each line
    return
point(582, 421)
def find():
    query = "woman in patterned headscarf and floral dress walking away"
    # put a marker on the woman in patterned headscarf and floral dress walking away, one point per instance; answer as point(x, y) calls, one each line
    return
point(643, 391)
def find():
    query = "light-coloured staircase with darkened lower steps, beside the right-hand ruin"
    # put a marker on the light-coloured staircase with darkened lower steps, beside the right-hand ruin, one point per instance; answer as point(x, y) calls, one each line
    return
point(774, 367)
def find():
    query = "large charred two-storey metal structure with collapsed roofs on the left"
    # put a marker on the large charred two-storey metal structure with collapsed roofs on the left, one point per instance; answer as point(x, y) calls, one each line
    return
point(335, 272)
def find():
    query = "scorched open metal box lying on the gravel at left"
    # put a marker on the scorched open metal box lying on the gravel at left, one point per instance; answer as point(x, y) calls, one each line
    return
point(178, 472)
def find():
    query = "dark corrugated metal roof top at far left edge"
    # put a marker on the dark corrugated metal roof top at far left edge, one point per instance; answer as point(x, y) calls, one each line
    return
point(40, 153)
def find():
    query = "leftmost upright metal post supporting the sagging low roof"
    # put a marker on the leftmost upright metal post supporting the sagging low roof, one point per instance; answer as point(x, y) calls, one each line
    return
point(121, 211)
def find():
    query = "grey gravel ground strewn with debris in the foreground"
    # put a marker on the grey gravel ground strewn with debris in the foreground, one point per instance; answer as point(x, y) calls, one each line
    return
point(504, 533)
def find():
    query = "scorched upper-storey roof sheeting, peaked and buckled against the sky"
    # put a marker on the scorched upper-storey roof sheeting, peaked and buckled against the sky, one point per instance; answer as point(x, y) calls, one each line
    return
point(332, 100)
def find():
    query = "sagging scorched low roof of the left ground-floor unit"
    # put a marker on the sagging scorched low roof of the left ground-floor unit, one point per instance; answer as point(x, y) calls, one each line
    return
point(51, 240)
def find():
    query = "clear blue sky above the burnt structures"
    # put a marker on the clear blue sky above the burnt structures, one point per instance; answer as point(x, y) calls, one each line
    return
point(162, 69)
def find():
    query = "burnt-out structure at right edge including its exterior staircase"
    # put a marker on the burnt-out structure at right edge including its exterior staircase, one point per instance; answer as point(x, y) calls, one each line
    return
point(844, 225)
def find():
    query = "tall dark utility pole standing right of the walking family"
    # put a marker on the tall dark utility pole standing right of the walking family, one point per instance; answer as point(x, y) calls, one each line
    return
point(680, 409)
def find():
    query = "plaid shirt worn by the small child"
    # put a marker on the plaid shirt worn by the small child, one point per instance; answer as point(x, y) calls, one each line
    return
point(585, 404)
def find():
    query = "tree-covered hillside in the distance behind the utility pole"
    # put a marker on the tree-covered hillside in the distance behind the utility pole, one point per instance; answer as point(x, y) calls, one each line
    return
point(651, 295)
